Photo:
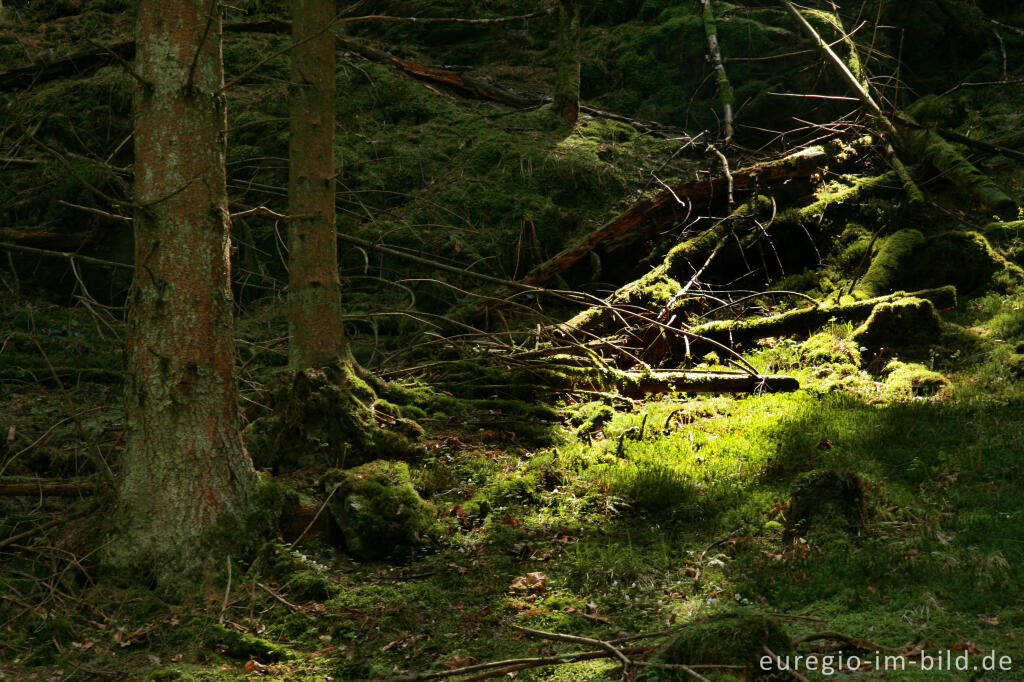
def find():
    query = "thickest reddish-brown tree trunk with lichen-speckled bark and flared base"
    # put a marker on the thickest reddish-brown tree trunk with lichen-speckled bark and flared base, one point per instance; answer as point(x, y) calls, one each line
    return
point(185, 466)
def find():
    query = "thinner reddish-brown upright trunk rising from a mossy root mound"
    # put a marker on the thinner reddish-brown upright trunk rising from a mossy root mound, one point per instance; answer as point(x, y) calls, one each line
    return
point(315, 326)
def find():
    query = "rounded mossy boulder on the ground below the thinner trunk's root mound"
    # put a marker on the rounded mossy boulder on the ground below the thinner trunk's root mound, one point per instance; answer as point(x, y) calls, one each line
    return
point(378, 510)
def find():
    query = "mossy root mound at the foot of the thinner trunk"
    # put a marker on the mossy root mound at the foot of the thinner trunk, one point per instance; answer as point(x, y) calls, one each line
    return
point(328, 417)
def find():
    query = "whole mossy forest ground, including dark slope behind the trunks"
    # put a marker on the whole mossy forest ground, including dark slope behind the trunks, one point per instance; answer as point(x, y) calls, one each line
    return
point(878, 513)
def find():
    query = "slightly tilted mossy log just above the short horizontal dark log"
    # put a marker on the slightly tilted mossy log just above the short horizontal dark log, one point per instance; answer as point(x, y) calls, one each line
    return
point(806, 321)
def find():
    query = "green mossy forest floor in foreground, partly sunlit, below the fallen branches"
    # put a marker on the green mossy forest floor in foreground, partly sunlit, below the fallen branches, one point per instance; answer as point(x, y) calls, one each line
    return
point(669, 513)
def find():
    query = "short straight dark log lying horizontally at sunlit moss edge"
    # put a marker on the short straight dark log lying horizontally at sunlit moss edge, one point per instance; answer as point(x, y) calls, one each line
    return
point(638, 386)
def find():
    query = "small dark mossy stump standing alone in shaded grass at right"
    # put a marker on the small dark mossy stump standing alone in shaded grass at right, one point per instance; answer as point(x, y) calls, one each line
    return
point(833, 500)
